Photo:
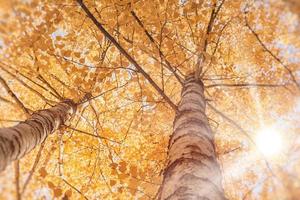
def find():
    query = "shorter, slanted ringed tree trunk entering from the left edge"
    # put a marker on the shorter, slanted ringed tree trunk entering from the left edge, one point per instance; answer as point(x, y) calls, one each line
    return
point(18, 140)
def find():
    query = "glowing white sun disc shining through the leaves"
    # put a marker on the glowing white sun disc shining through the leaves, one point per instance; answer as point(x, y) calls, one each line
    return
point(269, 141)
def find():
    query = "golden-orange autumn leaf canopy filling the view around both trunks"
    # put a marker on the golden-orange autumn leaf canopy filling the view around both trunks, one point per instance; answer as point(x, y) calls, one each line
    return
point(124, 62)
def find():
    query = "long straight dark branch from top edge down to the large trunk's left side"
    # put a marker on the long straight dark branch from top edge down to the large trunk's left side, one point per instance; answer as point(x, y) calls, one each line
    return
point(124, 52)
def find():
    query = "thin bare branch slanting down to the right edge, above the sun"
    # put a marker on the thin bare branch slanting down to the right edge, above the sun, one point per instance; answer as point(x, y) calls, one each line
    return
point(271, 53)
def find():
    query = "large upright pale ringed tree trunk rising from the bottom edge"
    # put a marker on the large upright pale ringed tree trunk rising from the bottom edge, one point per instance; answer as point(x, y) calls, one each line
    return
point(192, 170)
